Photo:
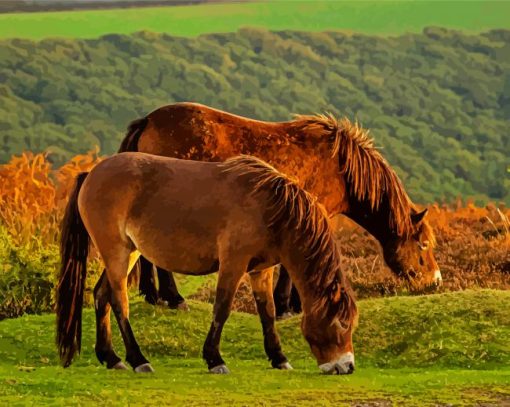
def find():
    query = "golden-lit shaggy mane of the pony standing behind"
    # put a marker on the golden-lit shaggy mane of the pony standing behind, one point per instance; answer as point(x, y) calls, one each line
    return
point(370, 176)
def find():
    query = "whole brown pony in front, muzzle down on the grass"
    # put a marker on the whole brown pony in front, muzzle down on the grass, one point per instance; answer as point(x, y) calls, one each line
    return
point(180, 214)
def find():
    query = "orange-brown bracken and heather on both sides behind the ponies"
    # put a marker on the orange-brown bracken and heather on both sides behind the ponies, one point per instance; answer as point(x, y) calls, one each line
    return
point(473, 247)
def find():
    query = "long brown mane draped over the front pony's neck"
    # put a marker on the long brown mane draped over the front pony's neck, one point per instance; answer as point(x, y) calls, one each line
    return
point(292, 209)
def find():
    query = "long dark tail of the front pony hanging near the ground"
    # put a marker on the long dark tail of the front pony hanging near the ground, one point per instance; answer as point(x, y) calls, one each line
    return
point(74, 248)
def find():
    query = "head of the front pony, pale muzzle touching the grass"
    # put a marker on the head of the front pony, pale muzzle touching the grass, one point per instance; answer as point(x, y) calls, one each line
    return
point(328, 330)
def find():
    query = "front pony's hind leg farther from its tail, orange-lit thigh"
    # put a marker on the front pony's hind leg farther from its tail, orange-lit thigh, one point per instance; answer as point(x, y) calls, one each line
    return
point(117, 272)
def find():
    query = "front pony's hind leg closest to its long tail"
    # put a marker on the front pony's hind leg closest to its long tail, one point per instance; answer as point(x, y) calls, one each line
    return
point(104, 348)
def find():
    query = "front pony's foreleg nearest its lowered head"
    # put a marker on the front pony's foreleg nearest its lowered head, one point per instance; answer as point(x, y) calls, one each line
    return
point(262, 286)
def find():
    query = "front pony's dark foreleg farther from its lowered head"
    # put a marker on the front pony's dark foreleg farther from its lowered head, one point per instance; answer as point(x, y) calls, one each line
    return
point(228, 281)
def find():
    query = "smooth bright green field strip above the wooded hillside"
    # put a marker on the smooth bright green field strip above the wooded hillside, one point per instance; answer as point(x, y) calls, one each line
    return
point(388, 17)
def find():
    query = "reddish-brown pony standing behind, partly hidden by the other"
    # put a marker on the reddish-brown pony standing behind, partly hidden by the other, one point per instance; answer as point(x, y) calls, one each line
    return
point(334, 160)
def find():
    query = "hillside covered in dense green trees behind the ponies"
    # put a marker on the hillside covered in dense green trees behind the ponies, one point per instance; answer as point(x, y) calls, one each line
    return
point(438, 103)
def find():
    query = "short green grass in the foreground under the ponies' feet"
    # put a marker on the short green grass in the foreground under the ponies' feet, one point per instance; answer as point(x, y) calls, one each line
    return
point(441, 349)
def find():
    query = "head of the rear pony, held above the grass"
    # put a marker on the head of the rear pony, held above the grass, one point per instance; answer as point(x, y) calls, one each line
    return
point(412, 256)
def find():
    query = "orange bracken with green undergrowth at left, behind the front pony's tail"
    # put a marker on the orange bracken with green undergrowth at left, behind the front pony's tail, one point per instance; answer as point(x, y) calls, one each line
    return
point(32, 200)
